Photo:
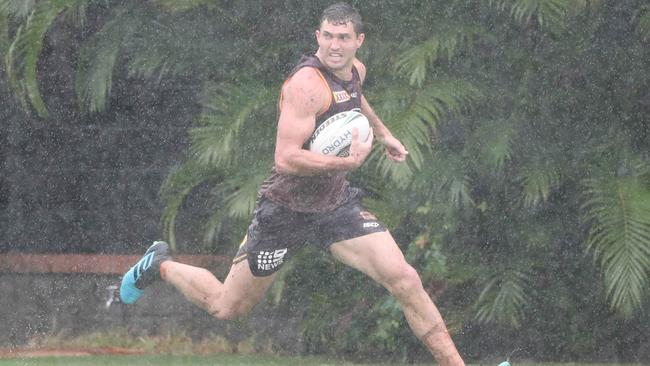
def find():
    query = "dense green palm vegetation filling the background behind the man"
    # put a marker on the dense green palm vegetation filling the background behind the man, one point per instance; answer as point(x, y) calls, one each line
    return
point(525, 203)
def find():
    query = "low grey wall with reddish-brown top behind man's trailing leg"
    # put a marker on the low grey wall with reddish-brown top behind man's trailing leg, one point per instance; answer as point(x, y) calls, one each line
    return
point(36, 302)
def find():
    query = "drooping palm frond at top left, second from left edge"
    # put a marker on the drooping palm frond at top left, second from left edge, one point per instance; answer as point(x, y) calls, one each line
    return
point(98, 57)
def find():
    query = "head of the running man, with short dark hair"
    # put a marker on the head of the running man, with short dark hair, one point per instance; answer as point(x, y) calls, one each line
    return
point(339, 36)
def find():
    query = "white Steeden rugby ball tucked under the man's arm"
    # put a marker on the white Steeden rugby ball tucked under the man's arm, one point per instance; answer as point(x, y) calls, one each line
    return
point(334, 136)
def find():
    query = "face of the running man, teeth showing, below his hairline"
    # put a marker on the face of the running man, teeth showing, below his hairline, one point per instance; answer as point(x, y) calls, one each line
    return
point(338, 44)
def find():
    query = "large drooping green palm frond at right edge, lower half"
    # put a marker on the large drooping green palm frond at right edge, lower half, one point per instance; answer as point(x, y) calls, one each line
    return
point(618, 209)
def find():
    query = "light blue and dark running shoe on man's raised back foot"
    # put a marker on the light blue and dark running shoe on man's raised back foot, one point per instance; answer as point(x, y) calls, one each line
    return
point(143, 273)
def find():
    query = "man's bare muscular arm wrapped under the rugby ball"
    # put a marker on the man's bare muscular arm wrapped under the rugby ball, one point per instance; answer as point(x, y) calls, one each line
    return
point(304, 96)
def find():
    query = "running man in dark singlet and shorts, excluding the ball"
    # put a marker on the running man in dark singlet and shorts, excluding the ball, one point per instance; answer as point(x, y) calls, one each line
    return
point(308, 199)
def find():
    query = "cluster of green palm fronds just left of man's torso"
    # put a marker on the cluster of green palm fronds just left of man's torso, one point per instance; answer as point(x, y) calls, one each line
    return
point(231, 114)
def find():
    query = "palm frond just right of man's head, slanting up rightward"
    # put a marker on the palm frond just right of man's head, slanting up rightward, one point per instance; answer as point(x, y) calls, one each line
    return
point(446, 43)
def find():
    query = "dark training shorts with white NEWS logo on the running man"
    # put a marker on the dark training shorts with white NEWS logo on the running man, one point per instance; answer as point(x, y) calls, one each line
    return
point(276, 232)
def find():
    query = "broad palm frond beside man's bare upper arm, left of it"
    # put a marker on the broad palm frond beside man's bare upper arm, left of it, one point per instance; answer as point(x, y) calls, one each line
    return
point(228, 109)
